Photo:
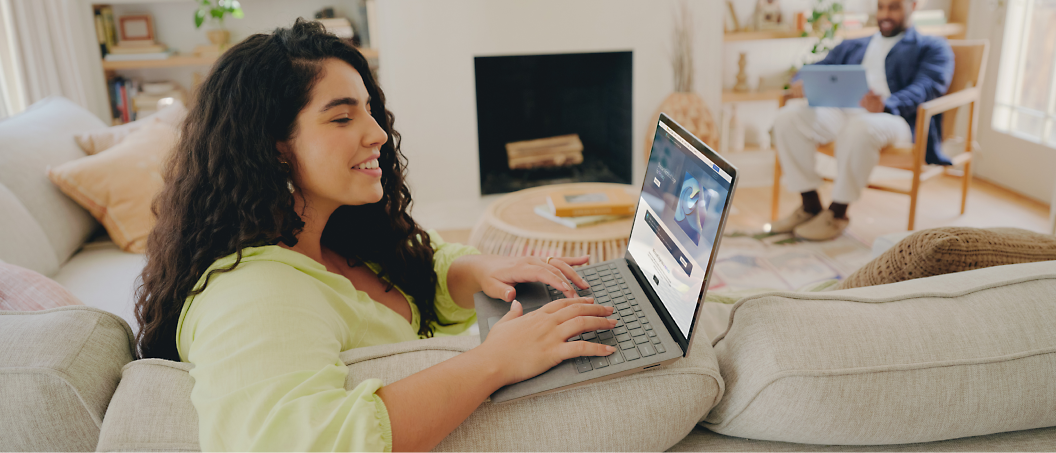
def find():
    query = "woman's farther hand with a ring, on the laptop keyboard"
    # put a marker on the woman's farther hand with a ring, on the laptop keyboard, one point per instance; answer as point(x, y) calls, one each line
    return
point(498, 275)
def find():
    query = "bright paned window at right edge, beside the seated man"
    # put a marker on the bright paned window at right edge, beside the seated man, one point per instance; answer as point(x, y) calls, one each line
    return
point(1026, 102)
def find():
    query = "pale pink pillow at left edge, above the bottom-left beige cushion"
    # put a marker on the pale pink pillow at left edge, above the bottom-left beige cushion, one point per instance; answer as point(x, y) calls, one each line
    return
point(23, 290)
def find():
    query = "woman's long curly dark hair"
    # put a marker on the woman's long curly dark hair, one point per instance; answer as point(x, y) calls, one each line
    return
point(227, 186)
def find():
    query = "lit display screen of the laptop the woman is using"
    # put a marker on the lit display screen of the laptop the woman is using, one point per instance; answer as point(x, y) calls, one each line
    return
point(677, 222)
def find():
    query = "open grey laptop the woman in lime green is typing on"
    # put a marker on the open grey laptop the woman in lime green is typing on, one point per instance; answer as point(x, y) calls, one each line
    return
point(658, 286)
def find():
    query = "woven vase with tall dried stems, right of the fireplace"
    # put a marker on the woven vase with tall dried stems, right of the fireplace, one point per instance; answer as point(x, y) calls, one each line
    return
point(685, 106)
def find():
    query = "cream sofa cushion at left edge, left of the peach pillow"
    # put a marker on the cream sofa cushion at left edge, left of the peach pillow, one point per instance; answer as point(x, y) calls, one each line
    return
point(24, 242)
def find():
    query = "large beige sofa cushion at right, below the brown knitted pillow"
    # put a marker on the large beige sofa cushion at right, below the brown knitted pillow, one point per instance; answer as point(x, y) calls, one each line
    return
point(953, 356)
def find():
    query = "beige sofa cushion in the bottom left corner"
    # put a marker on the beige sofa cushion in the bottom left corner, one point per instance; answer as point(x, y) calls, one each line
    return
point(59, 370)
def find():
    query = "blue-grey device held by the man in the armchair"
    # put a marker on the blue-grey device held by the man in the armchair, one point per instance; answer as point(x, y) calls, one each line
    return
point(840, 86)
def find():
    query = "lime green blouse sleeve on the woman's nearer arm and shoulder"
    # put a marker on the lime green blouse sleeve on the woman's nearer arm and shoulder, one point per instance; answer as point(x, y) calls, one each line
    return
point(265, 343)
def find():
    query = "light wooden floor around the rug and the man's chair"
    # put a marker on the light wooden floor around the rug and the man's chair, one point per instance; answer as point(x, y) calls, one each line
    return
point(879, 213)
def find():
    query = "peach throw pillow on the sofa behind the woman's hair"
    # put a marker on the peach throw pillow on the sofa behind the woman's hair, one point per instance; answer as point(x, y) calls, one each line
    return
point(118, 186)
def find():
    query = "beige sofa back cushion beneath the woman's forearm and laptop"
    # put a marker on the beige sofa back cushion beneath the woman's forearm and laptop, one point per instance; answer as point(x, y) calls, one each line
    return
point(649, 411)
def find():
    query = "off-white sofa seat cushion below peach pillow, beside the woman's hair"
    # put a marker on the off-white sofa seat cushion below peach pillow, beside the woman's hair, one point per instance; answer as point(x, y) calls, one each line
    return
point(103, 276)
